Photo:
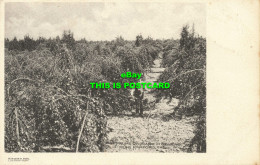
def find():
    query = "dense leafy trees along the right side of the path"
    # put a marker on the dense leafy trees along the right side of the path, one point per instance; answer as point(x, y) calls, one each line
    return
point(186, 71)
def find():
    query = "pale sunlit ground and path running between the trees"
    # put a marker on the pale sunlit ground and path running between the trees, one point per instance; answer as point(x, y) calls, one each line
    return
point(153, 132)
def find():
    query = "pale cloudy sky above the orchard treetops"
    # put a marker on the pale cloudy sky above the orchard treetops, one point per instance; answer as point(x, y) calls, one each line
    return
point(103, 21)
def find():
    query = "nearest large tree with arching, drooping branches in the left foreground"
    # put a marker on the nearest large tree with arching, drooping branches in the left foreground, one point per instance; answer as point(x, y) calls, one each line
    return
point(45, 106)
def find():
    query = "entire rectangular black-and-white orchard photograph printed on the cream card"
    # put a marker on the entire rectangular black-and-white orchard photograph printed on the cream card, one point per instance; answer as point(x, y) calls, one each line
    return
point(105, 77)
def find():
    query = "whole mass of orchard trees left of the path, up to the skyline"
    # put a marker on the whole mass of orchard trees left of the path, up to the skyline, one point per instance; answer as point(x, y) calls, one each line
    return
point(50, 105)
